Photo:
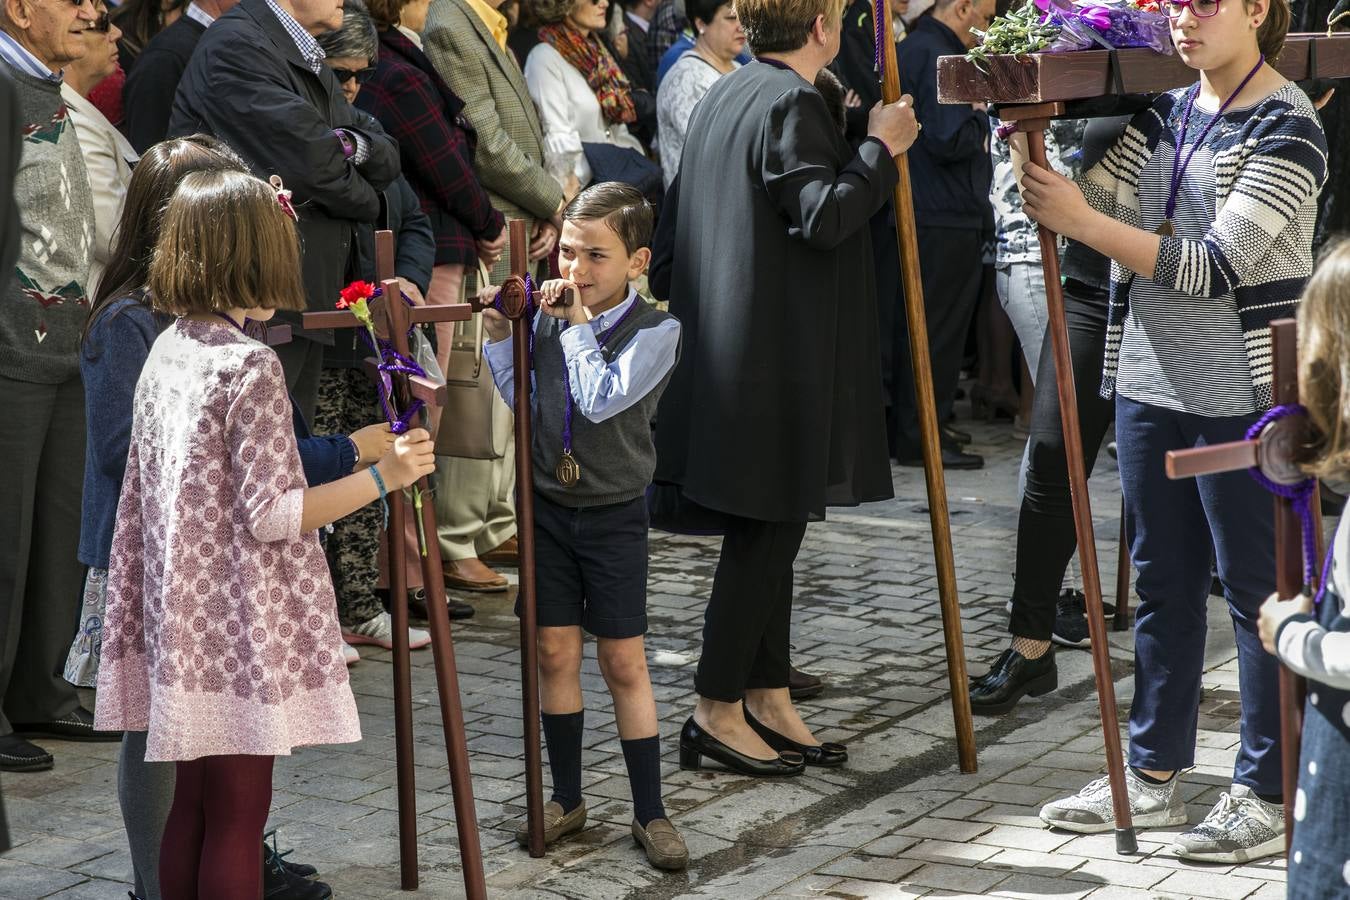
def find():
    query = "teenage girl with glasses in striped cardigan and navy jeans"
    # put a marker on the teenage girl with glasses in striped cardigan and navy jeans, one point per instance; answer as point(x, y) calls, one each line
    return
point(1206, 207)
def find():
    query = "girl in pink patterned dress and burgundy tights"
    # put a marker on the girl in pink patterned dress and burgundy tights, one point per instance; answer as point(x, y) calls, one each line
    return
point(222, 634)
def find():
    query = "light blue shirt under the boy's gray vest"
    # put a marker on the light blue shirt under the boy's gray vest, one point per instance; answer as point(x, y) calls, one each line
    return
point(600, 389)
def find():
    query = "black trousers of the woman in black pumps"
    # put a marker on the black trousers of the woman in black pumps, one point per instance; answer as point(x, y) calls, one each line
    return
point(750, 615)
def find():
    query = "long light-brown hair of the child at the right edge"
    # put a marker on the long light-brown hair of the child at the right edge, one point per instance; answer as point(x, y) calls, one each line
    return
point(1325, 362)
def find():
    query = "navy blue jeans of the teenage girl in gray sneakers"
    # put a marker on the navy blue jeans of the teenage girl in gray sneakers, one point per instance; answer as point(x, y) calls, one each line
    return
point(1174, 528)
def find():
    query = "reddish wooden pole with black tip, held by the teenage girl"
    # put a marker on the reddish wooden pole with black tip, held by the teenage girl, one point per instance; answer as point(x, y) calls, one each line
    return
point(1127, 841)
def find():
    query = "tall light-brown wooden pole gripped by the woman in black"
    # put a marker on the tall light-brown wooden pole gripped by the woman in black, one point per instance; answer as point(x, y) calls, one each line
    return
point(934, 476)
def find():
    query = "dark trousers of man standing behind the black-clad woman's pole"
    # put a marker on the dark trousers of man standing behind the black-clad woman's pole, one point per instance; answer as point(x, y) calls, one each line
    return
point(954, 272)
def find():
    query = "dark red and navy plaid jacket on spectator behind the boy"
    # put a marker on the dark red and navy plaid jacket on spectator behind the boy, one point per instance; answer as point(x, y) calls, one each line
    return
point(437, 148)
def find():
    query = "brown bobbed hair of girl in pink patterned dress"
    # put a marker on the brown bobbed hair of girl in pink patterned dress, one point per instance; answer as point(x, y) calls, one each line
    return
point(226, 242)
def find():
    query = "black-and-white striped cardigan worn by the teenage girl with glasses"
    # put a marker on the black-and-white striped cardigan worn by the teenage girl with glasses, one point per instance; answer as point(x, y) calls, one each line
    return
point(1270, 167)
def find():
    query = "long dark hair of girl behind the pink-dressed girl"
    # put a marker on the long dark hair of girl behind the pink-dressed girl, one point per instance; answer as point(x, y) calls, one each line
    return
point(152, 188)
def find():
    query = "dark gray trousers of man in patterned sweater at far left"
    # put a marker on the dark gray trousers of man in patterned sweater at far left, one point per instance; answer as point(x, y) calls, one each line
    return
point(41, 580)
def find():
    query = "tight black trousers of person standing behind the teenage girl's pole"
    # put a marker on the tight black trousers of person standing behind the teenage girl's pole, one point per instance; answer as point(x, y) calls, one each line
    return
point(1046, 536)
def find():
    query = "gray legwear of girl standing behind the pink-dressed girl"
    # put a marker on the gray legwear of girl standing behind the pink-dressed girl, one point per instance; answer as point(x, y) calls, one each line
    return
point(145, 793)
